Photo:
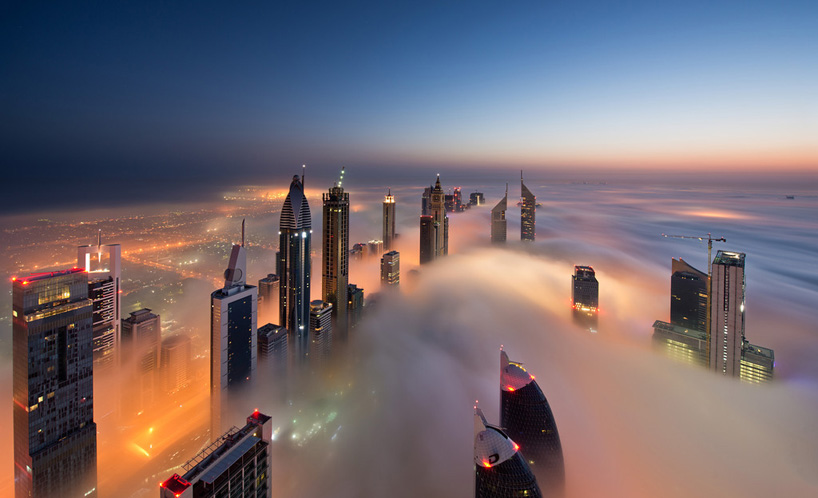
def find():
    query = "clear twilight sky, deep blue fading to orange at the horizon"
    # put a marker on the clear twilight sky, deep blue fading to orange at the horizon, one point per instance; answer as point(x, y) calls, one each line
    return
point(112, 94)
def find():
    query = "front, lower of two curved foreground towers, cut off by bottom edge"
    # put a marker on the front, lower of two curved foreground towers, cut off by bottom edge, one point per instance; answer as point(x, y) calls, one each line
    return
point(500, 470)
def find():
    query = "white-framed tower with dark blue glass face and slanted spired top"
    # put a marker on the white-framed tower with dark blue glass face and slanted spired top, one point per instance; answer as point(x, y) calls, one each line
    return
point(233, 346)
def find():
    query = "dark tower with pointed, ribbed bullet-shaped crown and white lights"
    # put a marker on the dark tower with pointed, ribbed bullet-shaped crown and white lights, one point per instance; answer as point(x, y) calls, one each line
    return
point(294, 275)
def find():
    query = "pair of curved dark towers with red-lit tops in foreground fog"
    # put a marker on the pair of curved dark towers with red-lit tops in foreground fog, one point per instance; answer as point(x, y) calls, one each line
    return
point(523, 455)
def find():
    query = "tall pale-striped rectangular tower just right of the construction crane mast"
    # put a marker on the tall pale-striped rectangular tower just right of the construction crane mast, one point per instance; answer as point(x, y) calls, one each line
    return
point(727, 313)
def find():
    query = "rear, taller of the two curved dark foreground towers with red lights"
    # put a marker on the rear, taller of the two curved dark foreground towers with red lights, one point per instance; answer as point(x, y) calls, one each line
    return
point(527, 418)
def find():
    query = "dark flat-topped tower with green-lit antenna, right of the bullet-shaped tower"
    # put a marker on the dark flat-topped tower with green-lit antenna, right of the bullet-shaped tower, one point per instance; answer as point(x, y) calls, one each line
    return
point(335, 269)
